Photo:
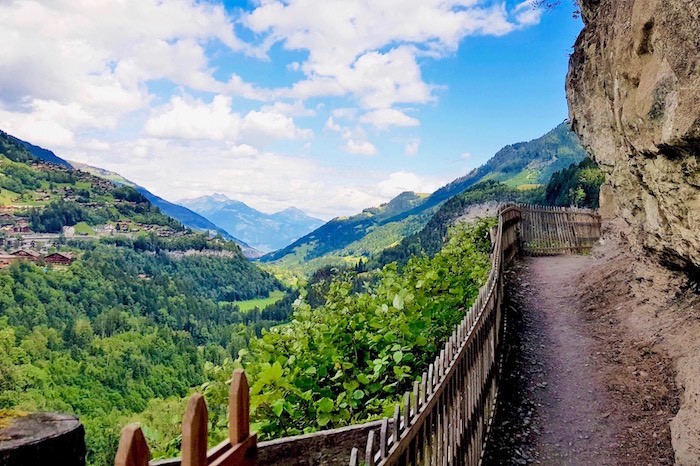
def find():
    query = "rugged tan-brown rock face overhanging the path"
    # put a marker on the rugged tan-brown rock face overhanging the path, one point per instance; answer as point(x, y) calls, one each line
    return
point(634, 98)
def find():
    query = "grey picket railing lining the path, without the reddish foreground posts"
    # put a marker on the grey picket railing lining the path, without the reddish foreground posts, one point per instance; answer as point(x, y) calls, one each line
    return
point(447, 417)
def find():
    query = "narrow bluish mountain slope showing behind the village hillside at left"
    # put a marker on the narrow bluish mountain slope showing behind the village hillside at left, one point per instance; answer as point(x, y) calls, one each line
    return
point(184, 215)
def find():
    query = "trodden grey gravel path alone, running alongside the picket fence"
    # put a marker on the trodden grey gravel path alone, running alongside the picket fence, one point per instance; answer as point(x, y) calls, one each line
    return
point(556, 405)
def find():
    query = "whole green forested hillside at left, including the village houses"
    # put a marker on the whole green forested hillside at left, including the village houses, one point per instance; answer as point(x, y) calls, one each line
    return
point(133, 315)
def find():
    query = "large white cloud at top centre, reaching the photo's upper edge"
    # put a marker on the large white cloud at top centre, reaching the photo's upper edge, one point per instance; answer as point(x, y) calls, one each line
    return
point(368, 48)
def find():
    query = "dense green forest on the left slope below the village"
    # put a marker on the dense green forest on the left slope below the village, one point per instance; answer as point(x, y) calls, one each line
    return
point(120, 330)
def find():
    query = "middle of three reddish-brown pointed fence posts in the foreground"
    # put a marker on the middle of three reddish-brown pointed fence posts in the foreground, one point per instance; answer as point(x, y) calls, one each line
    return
point(194, 432)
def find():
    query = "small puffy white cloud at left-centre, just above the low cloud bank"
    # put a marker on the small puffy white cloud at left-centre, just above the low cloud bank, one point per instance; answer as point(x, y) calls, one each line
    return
point(187, 118)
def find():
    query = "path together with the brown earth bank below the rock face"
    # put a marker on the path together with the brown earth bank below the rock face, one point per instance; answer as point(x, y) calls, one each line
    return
point(604, 365)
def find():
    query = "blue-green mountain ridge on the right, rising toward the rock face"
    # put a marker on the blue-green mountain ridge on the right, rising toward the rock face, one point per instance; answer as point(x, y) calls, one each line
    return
point(522, 167)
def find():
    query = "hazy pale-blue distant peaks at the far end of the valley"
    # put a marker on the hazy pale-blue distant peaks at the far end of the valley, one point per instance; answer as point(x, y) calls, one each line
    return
point(265, 232)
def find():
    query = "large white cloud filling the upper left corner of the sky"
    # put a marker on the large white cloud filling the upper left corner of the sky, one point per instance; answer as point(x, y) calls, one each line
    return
point(88, 63)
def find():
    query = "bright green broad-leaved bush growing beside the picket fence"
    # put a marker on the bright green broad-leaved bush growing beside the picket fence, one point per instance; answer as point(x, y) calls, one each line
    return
point(350, 359)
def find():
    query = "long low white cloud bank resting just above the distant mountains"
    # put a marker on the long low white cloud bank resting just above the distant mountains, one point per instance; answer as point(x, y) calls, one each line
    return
point(168, 168)
